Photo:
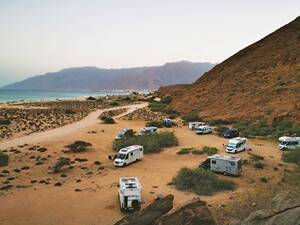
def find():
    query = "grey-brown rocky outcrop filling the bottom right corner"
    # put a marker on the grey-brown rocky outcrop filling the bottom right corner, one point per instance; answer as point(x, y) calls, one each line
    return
point(285, 209)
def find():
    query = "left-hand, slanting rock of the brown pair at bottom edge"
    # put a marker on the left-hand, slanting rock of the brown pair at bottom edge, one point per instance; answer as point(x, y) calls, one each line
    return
point(151, 213)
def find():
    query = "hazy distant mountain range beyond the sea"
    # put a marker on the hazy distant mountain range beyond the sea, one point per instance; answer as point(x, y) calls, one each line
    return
point(93, 78)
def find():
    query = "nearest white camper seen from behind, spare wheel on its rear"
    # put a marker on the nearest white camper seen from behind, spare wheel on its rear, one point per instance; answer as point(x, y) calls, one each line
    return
point(130, 193)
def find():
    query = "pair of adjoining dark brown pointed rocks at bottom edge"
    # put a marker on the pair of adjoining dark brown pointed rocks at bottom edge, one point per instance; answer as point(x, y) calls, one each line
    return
point(194, 213)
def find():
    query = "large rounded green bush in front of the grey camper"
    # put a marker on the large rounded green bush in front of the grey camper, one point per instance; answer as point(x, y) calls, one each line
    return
point(200, 181)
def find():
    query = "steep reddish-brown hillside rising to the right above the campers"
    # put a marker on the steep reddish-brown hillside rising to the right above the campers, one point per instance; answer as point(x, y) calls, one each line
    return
point(263, 77)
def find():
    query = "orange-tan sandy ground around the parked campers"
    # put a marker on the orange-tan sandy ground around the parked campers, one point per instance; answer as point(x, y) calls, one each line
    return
point(97, 203)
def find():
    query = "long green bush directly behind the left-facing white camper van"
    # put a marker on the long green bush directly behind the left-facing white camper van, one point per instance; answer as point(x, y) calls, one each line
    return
point(151, 142)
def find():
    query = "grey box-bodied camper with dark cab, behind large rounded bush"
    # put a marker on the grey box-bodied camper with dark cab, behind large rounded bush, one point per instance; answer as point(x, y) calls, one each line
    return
point(223, 164)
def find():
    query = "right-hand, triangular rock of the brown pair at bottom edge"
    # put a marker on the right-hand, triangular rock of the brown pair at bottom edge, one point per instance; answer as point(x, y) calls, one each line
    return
point(194, 213)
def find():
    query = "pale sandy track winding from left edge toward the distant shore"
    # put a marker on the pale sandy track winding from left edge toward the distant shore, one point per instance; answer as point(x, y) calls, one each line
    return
point(88, 121)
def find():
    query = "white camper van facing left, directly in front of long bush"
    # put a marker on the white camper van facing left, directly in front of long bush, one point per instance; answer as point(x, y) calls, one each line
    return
point(129, 155)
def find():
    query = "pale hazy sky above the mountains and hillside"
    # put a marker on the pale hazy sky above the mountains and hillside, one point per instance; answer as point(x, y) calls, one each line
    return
point(39, 36)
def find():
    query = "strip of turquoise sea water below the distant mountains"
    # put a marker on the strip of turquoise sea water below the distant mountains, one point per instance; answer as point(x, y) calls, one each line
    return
point(12, 95)
